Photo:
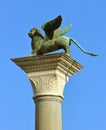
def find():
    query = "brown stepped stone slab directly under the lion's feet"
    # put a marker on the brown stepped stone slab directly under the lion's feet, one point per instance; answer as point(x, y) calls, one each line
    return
point(59, 61)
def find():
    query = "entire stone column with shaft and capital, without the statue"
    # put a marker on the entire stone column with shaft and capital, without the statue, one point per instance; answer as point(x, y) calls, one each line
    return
point(48, 75)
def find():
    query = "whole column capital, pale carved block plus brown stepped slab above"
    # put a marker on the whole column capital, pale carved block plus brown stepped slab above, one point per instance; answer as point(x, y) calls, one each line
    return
point(48, 73)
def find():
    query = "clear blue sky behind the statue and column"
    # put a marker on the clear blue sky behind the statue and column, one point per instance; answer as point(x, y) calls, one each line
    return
point(84, 105)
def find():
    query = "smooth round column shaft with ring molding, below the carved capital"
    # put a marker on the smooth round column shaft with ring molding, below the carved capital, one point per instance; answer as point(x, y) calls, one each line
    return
point(48, 113)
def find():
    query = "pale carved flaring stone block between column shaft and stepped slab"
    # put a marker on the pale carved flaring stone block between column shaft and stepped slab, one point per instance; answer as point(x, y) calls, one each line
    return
point(48, 83)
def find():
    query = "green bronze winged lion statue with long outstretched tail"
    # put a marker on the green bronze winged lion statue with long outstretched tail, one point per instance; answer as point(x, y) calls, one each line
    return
point(53, 39)
